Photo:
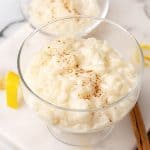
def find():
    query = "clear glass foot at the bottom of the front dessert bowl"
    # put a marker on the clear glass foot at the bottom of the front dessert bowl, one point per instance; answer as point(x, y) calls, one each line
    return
point(79, 139)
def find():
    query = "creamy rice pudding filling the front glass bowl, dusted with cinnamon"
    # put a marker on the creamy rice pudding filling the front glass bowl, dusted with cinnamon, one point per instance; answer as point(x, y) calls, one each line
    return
point(83, 74)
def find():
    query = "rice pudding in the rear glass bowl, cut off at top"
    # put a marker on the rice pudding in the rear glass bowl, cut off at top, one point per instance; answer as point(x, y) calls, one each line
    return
point(44, 11)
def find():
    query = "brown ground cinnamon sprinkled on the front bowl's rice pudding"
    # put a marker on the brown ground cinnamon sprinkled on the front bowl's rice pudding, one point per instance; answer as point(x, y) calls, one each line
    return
point(89, 78)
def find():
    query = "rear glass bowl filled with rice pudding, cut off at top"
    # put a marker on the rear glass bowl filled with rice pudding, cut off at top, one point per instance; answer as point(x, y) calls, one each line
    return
point(40, 12)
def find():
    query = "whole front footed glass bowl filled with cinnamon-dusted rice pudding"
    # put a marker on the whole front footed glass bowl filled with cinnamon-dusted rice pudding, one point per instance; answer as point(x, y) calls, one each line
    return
point(81, 85)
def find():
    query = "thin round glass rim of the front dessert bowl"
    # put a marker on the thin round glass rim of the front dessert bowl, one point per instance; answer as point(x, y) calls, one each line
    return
point(140, 73)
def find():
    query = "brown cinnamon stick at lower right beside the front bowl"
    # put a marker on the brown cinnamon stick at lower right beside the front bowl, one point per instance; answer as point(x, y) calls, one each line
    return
point(139, 129)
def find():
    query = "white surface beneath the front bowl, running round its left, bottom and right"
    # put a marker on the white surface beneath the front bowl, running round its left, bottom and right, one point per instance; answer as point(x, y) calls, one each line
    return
point(22, 129)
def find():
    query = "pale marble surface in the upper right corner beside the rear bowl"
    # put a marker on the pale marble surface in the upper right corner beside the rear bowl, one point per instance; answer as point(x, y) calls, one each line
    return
point(131, 15)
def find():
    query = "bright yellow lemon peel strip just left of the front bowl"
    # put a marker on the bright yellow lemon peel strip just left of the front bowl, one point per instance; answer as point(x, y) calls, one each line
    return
point(11, 85)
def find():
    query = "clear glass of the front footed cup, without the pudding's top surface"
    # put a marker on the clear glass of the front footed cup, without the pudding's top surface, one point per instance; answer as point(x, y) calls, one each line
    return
point(81, 134)
